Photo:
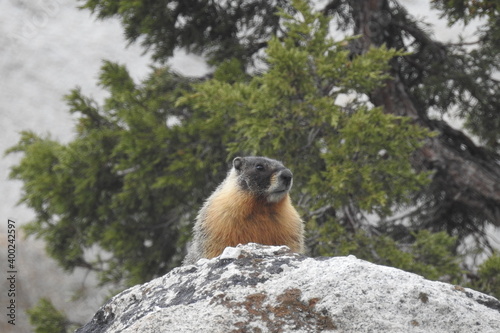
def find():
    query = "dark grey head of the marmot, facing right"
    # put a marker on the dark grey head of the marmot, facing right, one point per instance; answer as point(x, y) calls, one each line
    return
point(263, 177)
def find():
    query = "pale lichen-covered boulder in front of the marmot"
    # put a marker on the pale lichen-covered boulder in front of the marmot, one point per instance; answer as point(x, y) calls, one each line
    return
point(256, 288)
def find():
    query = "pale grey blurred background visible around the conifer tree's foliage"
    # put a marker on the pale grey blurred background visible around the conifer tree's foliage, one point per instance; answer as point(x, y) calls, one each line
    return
point(48, 48)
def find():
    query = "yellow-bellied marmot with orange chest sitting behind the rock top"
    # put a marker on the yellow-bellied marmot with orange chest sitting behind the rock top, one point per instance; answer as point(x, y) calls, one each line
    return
point(251, 205)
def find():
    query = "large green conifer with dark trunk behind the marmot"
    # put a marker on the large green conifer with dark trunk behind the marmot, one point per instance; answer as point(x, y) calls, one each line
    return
point(142, 162)
